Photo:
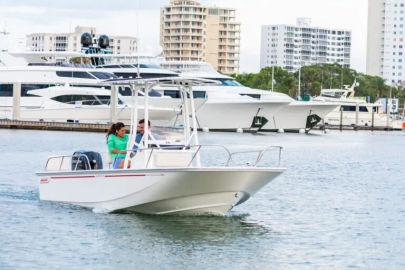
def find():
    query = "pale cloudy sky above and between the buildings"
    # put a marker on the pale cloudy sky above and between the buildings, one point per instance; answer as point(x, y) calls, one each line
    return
point(141, 18)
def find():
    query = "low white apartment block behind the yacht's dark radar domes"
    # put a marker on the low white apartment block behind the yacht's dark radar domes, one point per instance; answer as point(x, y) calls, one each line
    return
point(71, 41)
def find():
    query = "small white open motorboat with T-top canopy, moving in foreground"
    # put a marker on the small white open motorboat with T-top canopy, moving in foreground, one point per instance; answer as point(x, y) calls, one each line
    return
point(165, 176)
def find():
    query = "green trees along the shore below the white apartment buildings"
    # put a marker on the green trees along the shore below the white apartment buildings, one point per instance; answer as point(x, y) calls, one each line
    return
point(321, 76)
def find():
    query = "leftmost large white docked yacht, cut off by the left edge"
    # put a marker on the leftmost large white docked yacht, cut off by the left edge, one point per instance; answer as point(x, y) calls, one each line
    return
point(70, 94)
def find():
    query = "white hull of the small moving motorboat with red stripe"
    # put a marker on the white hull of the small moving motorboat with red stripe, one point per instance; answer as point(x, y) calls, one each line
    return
point(202, 191)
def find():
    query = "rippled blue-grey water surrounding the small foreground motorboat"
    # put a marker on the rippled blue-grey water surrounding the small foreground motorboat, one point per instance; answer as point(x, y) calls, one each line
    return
point(340, 204)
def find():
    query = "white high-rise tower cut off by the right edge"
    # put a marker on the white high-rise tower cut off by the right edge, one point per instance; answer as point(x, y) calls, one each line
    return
point(385, 40)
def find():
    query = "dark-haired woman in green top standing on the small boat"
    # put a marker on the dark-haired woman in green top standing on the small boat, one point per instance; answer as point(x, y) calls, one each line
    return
point(117, 141)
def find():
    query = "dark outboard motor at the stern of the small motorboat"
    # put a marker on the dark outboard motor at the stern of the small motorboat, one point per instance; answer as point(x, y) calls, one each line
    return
point(84, 160)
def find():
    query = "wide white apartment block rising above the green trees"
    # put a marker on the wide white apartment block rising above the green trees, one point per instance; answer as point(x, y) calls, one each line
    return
point(294, 46)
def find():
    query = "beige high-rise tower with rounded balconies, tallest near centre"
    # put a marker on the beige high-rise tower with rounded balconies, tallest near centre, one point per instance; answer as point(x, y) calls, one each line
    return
point(192, 32)
